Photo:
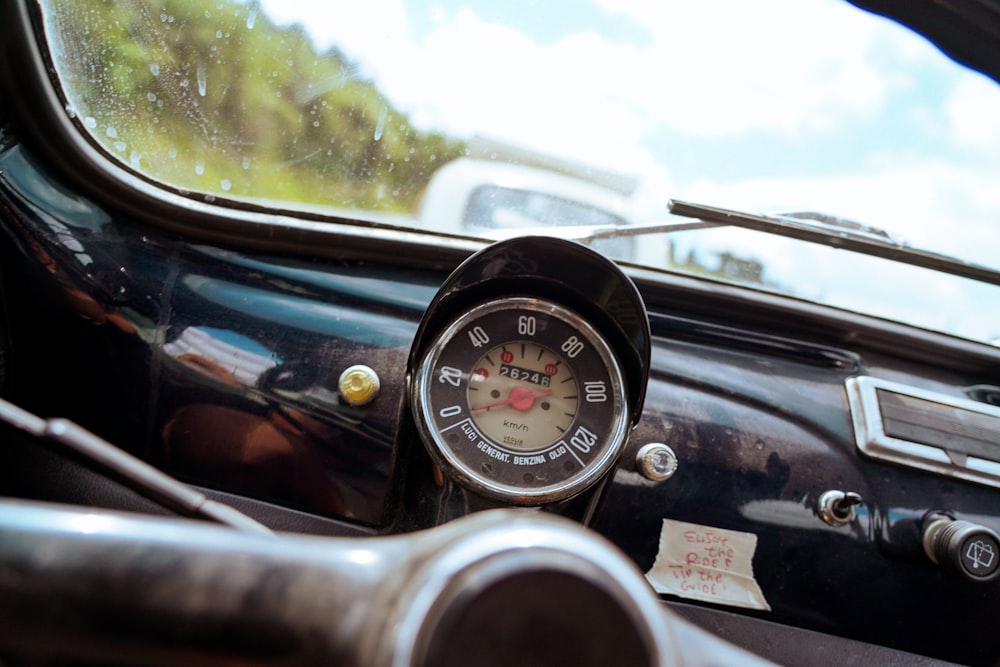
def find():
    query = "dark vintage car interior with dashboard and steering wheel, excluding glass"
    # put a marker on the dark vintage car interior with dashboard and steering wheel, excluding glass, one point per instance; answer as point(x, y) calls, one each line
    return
point(237, 432)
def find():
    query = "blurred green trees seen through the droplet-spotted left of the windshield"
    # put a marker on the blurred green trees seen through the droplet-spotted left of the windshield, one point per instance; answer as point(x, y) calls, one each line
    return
point(212, 97)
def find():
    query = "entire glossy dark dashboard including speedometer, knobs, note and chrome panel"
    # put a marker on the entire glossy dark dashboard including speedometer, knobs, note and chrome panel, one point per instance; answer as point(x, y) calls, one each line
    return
point(707, 432)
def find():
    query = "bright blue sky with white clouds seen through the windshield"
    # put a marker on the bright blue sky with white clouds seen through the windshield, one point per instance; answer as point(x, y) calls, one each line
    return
point(762, 106)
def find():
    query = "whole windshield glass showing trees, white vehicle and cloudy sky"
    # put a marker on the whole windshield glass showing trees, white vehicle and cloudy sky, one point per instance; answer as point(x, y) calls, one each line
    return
point(484, 119)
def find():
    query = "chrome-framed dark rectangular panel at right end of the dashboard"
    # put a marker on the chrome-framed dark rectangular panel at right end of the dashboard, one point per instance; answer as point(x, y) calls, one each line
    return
point(935, 432)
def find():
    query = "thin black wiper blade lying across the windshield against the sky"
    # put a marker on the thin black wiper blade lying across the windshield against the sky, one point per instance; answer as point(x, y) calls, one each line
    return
point(865, 240)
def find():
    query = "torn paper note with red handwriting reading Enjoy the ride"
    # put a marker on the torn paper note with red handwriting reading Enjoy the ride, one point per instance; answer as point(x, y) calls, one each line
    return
point(709, 564)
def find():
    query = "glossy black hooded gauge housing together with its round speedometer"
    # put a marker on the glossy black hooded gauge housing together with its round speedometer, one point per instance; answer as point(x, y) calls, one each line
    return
point(580, 295)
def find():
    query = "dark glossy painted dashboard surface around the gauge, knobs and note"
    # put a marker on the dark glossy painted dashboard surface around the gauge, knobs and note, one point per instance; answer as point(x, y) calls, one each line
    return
point(220, 366)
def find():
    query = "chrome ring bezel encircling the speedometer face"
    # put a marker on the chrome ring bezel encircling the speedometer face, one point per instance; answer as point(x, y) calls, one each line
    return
point(452, 464)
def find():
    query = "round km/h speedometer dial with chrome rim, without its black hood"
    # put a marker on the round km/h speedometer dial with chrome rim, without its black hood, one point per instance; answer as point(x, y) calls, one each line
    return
point(522, 400)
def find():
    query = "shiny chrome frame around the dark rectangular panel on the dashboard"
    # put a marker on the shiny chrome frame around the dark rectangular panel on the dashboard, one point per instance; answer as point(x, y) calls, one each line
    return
point(871, 438)
